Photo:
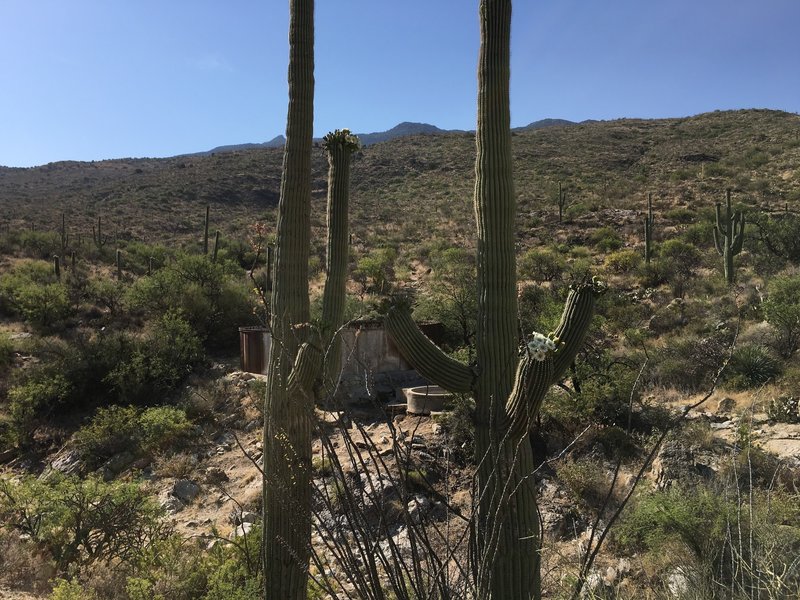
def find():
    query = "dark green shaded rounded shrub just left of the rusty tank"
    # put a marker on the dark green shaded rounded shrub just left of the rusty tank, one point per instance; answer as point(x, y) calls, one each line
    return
point(158, 362)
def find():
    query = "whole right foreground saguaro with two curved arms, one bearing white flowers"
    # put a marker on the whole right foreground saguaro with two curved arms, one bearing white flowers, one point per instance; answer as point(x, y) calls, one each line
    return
point(508, 389)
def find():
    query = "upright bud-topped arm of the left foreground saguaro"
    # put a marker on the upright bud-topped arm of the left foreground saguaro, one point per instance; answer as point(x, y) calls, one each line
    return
point(339, 145)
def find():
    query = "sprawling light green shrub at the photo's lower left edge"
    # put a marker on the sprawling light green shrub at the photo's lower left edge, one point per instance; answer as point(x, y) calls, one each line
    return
point(79, 521)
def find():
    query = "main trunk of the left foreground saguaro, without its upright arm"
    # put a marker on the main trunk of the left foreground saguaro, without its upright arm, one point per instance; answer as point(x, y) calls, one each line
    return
point(289, 407)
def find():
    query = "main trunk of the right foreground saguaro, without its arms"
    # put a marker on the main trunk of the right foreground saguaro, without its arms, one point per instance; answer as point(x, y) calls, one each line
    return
point(508, 518)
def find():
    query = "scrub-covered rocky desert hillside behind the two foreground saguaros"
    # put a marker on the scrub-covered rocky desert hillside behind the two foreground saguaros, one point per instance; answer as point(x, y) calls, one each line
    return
point(116, 357)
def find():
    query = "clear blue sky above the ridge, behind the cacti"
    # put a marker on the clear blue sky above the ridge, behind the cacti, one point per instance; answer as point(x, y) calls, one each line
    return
point(95, 79)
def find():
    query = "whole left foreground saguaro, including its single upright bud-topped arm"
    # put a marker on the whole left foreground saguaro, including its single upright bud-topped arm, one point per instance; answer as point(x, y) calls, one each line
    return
point(296, 357)
